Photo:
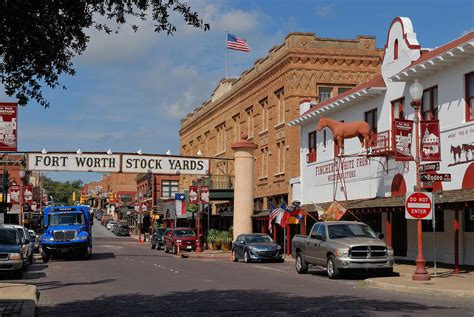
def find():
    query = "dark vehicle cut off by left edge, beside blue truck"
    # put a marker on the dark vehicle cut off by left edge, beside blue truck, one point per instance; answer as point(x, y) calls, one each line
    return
point(12, 252)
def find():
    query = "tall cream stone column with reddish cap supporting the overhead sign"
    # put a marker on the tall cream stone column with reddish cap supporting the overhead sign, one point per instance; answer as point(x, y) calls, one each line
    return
point(243, 185)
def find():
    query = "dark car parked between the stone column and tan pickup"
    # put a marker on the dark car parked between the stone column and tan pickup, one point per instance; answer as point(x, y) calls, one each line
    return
point(256, 247)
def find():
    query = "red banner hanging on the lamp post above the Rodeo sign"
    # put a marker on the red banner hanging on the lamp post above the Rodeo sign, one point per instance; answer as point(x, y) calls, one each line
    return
point(430, 141)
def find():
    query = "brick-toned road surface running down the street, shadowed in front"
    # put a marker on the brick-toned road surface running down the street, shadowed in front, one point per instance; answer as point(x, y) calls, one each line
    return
point(125, 278)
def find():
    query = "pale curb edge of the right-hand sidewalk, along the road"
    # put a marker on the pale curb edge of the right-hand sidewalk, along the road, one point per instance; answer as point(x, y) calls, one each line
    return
point(414, 289)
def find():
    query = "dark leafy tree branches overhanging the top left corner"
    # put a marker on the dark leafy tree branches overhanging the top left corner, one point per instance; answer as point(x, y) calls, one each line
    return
point(39, 39)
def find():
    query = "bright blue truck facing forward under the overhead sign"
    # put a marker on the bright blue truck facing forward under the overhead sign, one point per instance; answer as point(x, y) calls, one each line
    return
point(67, 231)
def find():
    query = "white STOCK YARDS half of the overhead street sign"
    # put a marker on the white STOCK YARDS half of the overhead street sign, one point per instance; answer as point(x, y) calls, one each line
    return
point(164, 165)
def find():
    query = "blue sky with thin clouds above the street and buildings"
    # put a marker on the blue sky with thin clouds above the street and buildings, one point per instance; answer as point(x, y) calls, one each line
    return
point(131, 89)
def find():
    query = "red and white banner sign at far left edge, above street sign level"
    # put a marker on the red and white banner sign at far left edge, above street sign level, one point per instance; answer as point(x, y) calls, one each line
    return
point(8, 126)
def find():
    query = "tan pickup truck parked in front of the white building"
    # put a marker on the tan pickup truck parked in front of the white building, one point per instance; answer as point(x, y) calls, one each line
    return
point(341, 246)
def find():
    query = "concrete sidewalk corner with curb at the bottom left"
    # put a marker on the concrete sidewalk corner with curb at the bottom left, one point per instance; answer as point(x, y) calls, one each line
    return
point(18, 299)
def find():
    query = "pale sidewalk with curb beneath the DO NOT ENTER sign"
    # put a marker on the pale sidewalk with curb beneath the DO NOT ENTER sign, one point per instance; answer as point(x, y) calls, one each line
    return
point(444, 283)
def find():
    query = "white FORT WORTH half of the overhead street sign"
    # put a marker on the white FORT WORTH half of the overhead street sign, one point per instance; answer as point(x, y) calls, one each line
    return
point(73, 162)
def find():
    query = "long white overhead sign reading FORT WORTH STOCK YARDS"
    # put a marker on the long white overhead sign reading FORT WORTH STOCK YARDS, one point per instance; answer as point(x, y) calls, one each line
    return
point(116, 163)
